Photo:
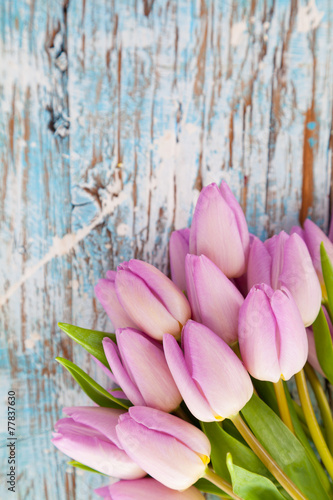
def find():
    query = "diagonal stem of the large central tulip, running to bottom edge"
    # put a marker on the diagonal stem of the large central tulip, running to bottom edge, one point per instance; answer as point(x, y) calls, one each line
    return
point(266, 459)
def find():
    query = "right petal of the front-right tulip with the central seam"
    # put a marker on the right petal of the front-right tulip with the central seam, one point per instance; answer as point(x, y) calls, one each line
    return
point(293, 340)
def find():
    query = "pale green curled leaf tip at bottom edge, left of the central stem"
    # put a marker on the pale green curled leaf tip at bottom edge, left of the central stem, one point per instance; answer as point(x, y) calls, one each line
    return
point(250, 486)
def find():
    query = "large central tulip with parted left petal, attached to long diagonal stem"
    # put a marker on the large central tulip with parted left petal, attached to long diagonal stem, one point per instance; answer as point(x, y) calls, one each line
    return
point(210, 377)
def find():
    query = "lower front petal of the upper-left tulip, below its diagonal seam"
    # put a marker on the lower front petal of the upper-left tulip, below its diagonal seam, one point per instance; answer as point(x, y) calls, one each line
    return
point(144, 307)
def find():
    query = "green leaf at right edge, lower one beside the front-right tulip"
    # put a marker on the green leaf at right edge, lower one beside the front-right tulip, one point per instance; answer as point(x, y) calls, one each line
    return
point(324, 347)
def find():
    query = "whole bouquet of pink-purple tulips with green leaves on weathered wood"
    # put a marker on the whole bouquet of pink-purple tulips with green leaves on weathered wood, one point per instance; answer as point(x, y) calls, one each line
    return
point(197, 401)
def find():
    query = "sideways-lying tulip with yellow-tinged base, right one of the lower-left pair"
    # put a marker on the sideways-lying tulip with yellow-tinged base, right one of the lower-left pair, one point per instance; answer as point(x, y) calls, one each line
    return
point(172, 451)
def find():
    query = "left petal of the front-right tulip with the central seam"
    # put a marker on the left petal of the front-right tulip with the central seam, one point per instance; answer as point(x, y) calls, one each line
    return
point(257, 335)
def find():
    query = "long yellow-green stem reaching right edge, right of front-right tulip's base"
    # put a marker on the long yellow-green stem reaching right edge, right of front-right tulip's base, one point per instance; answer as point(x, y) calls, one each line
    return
point(312, 423)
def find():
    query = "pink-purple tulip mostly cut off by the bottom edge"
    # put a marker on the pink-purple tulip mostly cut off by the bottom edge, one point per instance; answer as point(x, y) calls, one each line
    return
point(146, 489)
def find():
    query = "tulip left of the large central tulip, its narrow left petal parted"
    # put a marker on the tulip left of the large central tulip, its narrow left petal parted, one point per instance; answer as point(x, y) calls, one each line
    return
point(140, 369)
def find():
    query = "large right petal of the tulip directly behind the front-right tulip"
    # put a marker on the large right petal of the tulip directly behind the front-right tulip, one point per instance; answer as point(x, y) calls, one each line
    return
point(299, 276)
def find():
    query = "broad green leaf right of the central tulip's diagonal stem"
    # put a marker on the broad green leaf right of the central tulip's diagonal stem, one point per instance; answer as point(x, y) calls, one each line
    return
point(284, 447)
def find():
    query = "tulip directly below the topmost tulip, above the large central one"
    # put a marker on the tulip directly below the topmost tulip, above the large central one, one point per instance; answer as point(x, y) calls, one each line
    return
point(214, 300)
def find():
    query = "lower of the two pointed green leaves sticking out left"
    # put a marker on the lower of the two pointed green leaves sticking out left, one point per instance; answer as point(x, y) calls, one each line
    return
point(95, 391)
